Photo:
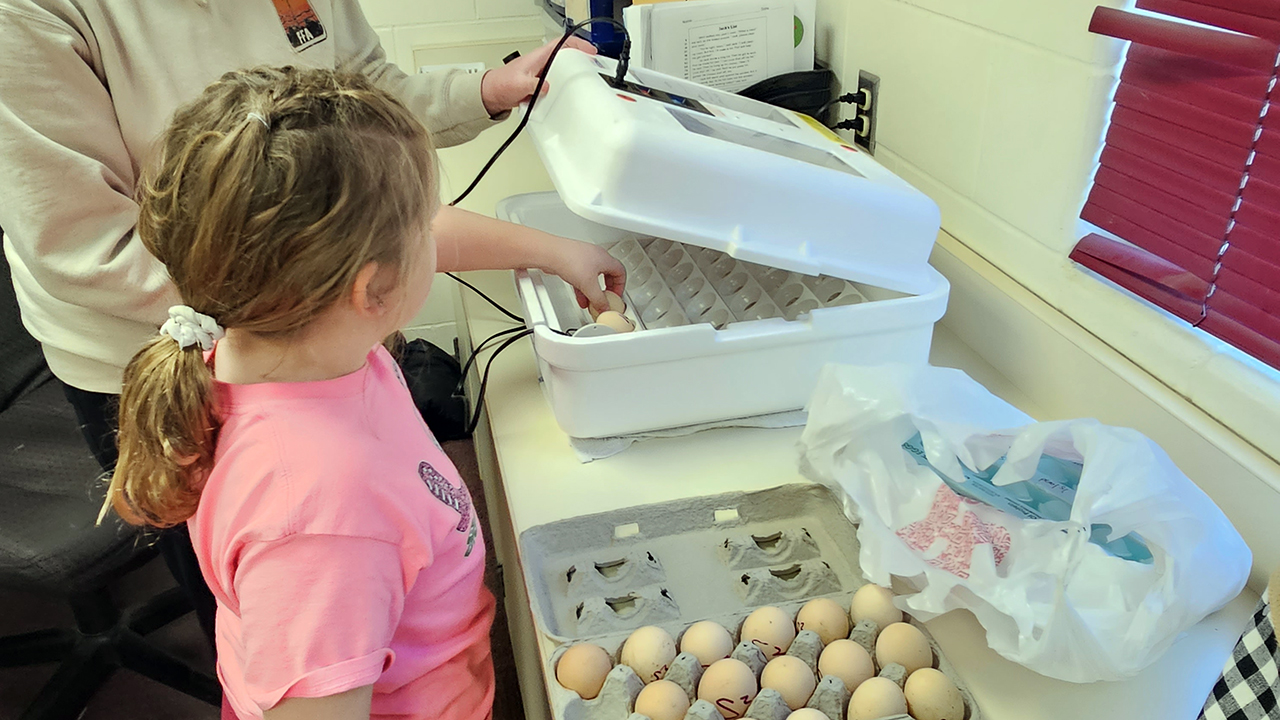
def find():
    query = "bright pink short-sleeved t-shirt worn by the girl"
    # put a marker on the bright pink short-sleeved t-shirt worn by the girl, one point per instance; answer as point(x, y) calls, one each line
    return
point(344, 550)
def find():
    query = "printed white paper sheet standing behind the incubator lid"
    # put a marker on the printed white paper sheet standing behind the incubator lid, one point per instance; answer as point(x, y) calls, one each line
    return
point(725, 44)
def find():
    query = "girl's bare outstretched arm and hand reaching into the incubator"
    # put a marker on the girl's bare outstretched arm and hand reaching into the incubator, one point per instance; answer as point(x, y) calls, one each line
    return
point(467, 241)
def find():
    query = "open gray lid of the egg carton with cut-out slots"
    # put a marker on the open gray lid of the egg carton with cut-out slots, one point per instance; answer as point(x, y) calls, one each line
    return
point(687, 540)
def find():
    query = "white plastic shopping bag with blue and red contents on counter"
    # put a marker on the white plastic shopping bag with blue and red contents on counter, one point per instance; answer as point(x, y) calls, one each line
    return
point(1049, 596)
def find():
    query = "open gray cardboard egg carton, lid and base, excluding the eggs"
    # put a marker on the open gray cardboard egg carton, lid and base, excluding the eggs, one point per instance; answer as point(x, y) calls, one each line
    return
point(600, 577)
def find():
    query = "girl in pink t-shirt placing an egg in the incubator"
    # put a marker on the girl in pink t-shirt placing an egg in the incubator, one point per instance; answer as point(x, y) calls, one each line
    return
point(296, 212)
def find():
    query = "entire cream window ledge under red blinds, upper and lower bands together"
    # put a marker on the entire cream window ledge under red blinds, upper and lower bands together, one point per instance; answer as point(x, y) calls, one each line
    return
point(1076, 348)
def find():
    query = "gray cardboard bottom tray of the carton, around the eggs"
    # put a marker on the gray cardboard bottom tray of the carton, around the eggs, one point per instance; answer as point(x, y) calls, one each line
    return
point(618, 699)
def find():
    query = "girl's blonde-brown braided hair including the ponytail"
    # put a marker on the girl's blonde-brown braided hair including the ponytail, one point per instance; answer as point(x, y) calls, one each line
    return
point(267, 198)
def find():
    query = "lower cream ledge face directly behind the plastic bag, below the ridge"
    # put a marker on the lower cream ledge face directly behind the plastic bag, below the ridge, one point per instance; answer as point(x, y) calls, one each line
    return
point(1062, 371)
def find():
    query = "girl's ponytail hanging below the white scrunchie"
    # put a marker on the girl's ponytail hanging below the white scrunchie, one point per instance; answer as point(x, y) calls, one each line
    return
point(168, 434)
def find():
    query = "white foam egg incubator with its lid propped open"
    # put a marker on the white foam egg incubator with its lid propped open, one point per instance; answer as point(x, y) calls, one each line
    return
point(758, 248)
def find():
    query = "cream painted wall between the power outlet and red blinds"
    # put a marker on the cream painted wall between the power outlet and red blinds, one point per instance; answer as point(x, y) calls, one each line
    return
point(1003, 102)
